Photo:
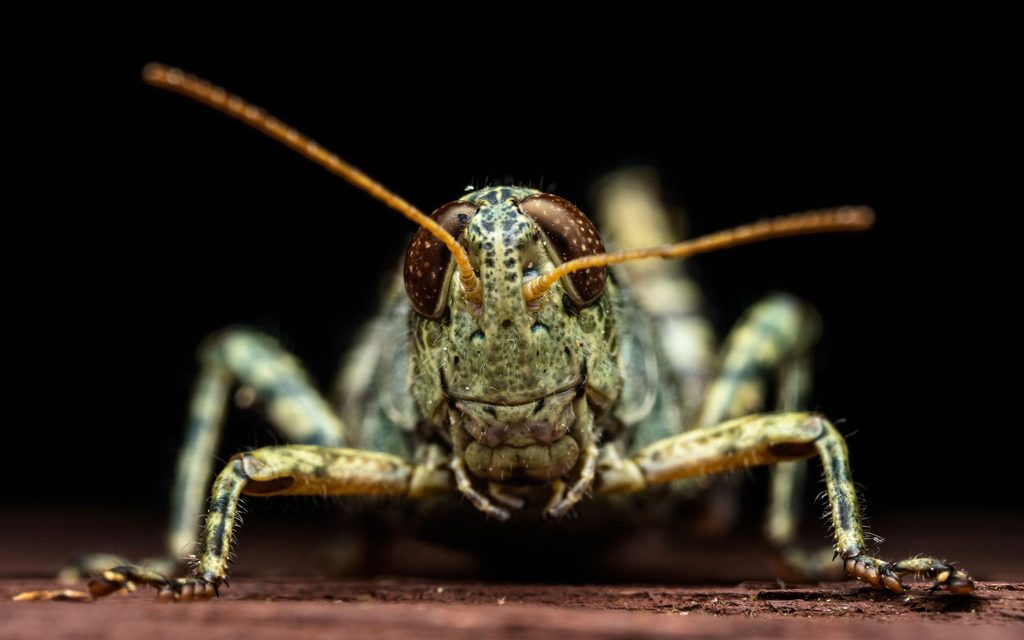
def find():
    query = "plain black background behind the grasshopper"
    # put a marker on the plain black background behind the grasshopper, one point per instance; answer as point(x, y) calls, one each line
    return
point(151, 222)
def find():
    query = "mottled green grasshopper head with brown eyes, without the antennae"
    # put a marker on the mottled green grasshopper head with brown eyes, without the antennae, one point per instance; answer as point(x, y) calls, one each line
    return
point(504, 379)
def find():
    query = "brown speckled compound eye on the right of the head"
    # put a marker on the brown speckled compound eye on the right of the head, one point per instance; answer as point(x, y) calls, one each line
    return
point(570, 235)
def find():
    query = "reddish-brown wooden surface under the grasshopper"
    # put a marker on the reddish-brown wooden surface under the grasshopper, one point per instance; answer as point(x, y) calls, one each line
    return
point(268, 603)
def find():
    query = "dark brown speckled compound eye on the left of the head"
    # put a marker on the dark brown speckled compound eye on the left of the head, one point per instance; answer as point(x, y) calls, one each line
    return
point(429, 262)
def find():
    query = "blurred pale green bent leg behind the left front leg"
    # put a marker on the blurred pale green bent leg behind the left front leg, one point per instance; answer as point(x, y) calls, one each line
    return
point(266, 374)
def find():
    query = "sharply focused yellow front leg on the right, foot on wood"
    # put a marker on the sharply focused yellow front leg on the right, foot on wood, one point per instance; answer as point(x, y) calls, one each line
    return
point(782, 438)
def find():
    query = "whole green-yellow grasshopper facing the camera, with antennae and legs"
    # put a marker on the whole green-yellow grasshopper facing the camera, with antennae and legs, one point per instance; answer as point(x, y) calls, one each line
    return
point(521, 373)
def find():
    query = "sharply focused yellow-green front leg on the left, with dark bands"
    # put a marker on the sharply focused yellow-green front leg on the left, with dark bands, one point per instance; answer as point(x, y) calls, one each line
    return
point(288, 471)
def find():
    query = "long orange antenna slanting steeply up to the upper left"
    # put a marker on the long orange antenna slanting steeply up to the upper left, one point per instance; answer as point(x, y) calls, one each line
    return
point(212, 96)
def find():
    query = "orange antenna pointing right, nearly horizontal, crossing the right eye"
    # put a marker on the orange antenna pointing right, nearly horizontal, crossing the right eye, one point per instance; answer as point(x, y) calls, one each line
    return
point(822, 222)
